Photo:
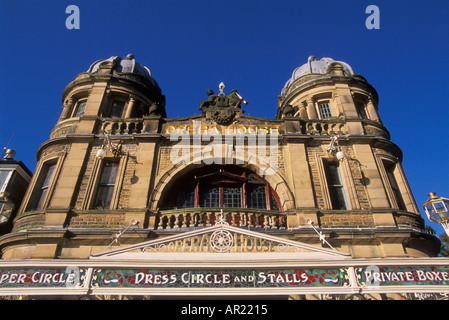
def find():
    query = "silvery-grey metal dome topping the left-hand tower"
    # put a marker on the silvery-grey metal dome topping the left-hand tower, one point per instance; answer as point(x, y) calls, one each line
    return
point(125, 65)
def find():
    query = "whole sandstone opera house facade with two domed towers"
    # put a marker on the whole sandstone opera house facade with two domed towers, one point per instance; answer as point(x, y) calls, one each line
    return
point(122, 112)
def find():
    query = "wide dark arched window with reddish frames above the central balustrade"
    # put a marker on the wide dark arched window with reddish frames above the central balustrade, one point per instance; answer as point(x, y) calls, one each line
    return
point(229, 187)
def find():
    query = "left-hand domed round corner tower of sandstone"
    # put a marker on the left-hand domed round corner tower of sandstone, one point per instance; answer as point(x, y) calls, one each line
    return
point(74, 185)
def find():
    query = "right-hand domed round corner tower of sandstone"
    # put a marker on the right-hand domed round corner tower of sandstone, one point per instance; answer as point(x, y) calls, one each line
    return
point(360, 190)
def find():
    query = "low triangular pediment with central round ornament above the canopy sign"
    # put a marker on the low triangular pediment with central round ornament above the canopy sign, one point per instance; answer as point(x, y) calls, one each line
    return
point(220, 242)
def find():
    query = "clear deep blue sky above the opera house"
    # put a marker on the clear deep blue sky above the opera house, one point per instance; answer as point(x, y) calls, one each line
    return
point(252, 46)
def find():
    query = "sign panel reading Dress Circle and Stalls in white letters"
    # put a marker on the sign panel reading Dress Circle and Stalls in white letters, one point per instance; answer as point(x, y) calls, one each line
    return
point(235, 278)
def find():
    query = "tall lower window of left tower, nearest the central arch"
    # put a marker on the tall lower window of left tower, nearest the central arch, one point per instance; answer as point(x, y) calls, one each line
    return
point(106, 186)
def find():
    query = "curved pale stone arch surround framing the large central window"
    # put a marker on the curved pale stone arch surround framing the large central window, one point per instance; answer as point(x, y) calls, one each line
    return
point(173, 177)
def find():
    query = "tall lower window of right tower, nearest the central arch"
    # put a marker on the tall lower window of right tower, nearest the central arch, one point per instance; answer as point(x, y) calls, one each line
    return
point(335, 186)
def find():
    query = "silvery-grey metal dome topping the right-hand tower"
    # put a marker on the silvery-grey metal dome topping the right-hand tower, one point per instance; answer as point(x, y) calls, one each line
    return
point(315, 66)
